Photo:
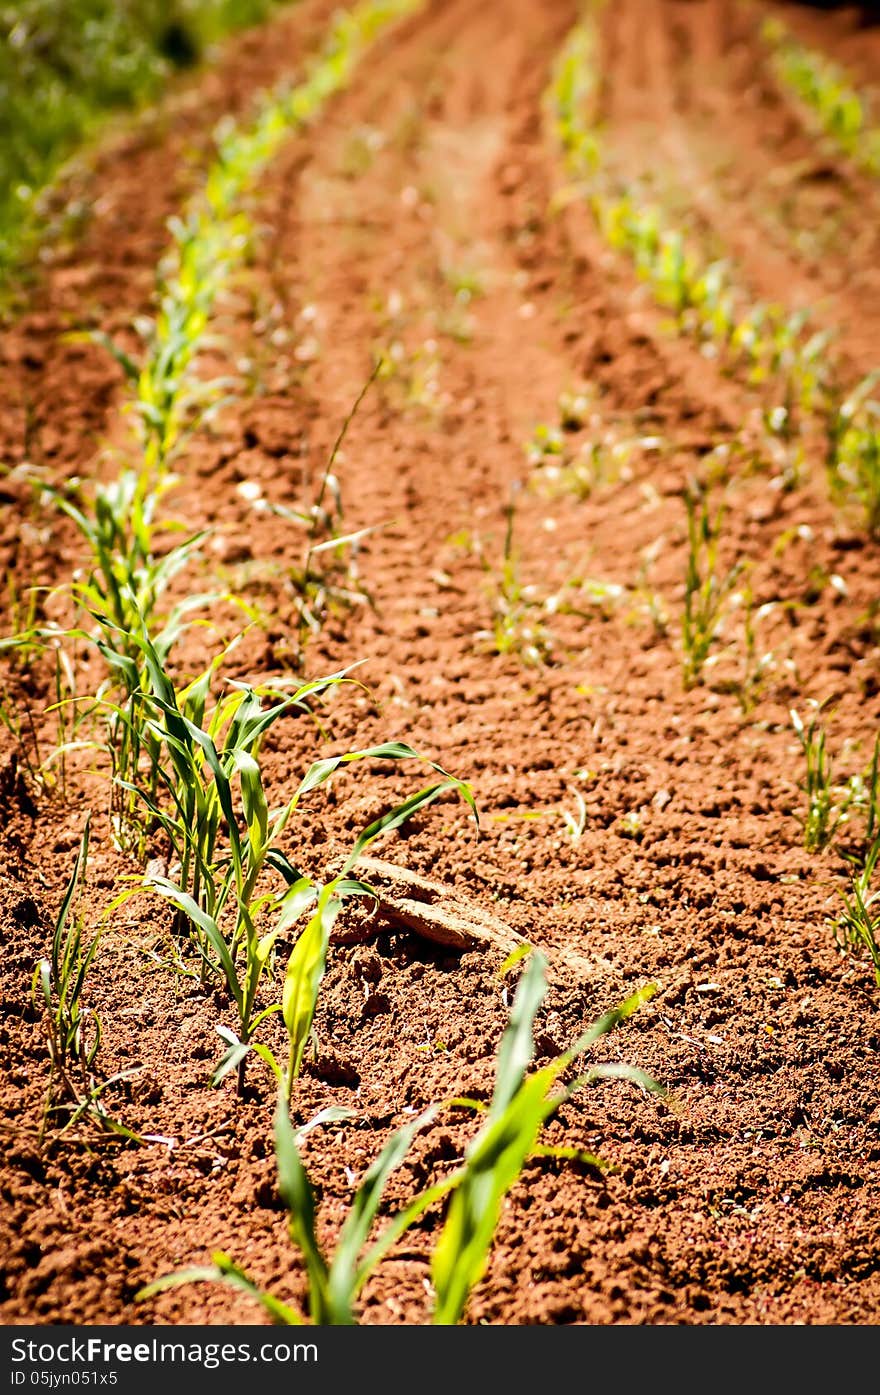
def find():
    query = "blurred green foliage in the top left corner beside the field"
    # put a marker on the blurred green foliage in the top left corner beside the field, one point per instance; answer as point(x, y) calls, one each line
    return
point(65, 63)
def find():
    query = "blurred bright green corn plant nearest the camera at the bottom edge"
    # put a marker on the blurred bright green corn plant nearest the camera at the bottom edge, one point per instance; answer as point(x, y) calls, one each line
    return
point(524, 1103)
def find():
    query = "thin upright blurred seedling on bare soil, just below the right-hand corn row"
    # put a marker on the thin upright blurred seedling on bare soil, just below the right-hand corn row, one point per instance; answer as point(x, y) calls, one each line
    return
point(706, 589)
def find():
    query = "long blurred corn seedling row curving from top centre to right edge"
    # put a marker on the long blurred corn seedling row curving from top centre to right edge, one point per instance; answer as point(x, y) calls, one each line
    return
point(779, 352)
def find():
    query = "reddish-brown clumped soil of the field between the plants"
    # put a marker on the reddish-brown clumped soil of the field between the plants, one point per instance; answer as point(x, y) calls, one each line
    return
point(745, 1195)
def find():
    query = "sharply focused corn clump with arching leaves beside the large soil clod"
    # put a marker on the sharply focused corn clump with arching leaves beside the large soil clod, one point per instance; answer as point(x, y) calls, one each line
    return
point(214, 808)
